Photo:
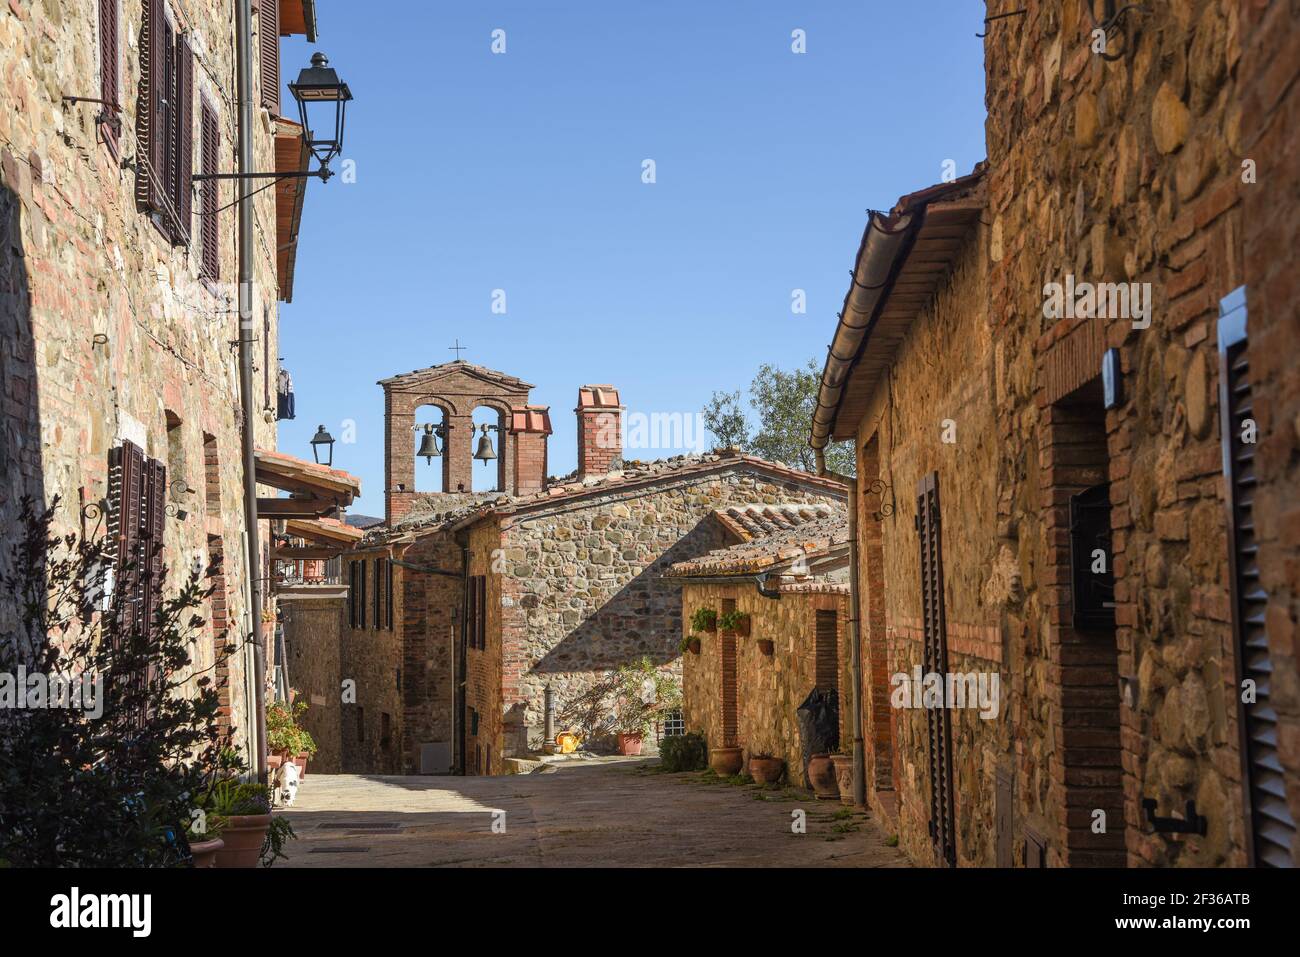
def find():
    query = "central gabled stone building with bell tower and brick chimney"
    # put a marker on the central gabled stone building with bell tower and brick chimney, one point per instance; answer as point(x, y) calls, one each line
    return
point(465, 609)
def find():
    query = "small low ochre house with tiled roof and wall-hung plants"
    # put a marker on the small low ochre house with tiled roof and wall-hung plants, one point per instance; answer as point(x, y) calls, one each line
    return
point(788, 573)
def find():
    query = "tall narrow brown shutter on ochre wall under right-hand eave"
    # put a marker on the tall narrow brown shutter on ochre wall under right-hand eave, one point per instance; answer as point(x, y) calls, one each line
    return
point(935, 661)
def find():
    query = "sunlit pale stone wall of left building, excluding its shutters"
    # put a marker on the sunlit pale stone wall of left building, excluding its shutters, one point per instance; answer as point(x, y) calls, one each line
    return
point(110, 332)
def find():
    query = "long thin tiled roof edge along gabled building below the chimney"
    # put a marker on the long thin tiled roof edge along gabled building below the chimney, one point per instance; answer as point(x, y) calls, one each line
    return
point(635, 475)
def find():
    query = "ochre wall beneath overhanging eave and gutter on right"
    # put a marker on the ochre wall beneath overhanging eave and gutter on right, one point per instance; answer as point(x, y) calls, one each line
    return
point(939, 417)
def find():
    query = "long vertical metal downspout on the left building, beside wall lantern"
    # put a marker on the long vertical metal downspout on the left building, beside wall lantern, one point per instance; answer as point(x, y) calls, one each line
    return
point(244, 57)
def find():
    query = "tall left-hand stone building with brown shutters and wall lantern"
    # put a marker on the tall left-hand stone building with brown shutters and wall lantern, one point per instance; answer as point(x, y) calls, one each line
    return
point(119, 302)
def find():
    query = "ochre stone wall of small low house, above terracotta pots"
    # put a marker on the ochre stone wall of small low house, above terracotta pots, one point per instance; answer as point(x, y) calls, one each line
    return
point(769, 688)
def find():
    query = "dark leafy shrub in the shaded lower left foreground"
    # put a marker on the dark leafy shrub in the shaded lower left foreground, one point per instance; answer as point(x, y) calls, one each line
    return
point(116, 789)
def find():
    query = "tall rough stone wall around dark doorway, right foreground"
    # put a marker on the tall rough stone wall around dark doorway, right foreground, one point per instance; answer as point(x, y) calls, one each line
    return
point(1125, 171)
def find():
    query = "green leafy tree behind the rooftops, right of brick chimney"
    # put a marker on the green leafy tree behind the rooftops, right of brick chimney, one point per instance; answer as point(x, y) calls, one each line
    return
point(783, 402)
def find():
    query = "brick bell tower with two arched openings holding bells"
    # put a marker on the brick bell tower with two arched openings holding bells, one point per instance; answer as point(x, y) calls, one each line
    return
point(447, 397)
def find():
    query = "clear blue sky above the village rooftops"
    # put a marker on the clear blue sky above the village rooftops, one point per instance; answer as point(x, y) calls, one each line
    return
point(523, 172)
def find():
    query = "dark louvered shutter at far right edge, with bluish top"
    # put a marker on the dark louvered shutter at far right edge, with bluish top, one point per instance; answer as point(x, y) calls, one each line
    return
point(1269, 824)
